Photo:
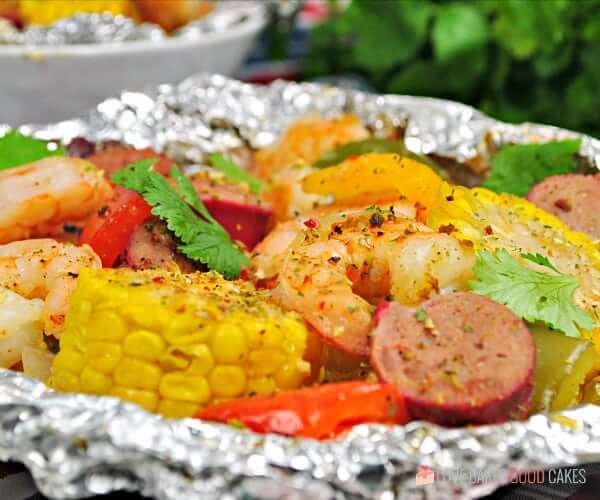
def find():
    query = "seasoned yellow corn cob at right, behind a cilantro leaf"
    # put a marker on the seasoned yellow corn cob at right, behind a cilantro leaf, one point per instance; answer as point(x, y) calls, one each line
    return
point(491, 221)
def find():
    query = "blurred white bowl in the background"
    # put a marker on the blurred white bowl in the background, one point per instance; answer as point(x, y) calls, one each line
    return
point(47, 84)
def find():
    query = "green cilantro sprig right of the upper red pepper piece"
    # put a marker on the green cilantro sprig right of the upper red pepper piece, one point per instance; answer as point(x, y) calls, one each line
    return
point(203, 239)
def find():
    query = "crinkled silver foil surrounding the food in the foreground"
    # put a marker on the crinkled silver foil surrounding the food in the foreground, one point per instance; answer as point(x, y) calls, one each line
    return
point(78, 445)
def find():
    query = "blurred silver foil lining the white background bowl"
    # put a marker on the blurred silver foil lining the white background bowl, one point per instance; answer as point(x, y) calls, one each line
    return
point(106, 28)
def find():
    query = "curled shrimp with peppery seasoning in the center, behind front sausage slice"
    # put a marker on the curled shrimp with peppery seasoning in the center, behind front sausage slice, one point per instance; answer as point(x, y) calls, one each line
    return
point(332, 275)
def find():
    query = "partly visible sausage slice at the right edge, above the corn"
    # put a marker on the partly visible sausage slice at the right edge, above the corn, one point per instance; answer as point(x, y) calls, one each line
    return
point(573, 198)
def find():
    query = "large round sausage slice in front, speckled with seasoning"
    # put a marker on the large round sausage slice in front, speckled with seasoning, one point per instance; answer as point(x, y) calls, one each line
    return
point(459, 359)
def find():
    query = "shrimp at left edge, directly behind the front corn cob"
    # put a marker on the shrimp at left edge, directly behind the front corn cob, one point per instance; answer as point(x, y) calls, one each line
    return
point(48, 270)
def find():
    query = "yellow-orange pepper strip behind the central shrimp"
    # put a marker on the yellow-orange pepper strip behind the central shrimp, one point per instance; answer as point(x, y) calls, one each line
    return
point(377, 178)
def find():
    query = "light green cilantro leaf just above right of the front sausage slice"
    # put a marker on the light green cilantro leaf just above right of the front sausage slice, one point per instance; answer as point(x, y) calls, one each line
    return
point(532, 295)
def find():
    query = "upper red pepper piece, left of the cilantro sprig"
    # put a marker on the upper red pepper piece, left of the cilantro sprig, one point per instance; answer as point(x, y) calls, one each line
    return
point(109, 232)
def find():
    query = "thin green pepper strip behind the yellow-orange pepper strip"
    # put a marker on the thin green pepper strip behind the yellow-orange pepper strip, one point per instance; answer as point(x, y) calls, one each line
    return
point(374, 145)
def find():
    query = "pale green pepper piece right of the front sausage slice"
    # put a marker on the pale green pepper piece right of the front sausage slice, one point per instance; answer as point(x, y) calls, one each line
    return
point(563, 366)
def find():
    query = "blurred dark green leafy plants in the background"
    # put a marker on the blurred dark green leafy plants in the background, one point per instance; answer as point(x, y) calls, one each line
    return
point(518, 60)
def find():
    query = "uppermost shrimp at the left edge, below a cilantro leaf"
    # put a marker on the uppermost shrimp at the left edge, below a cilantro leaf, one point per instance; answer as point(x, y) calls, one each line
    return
point(40, 195)
